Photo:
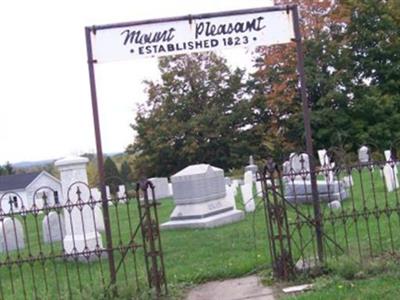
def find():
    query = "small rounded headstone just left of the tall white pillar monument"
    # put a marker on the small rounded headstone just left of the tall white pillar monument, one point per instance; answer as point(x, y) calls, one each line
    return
point(53, 227)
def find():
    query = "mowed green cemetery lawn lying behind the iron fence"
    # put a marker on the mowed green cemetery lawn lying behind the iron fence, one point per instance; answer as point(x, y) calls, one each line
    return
point(195, 256)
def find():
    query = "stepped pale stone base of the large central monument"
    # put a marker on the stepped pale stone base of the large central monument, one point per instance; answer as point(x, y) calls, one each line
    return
point(208, 214)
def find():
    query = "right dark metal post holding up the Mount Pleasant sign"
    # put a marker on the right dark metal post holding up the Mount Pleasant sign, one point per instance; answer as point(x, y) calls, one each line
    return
point(307, 127)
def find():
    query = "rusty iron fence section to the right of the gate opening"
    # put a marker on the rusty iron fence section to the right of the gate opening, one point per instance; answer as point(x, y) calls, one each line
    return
point(358, 217)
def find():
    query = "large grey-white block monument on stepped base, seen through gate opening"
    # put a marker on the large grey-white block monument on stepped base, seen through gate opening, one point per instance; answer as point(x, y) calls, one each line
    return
point(200, 199)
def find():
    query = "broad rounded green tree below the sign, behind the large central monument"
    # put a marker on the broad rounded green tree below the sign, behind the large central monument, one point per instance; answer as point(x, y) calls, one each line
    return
point(196, 114)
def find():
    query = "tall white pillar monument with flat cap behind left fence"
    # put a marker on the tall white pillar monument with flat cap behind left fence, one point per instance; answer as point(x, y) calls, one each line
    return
point(73, 175)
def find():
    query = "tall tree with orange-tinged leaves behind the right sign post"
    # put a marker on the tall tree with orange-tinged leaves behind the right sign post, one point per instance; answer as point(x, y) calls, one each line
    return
point(352, 68)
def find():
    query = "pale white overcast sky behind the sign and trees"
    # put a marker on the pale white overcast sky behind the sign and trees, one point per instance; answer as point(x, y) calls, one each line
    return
point(45, 99)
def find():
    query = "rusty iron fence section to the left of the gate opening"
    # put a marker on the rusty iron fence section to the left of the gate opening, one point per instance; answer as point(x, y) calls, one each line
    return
point(55, 248)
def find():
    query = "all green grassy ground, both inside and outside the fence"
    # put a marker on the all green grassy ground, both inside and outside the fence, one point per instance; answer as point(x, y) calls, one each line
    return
point(196, 256)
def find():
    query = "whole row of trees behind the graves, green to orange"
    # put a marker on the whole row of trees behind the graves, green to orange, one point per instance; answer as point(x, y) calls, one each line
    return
point(203, 111)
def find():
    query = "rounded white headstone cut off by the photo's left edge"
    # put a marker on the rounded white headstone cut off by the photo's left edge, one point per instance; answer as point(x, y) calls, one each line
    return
point(11, 235)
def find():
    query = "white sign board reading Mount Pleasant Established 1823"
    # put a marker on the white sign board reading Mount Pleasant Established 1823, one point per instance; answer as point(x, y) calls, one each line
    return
point(160, 39)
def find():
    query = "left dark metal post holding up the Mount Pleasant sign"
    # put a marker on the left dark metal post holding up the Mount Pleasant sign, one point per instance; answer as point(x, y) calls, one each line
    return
point(100, 162)
